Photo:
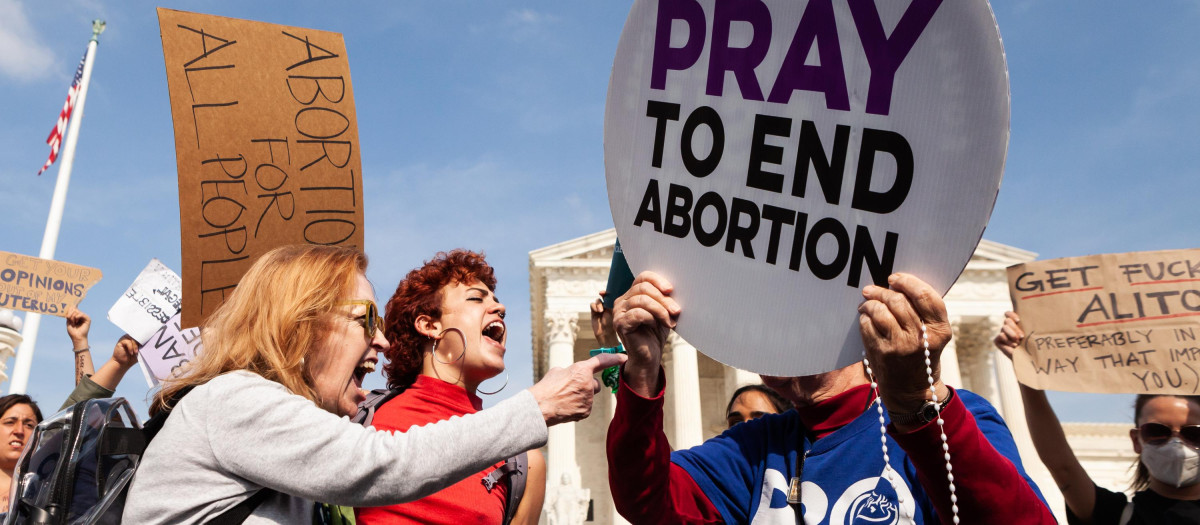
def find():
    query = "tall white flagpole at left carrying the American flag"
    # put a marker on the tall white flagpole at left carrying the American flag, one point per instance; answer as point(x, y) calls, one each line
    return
point(51, 239)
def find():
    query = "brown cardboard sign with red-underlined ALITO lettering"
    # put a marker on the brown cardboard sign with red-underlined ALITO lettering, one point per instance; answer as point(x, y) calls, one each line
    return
point(1124, 323)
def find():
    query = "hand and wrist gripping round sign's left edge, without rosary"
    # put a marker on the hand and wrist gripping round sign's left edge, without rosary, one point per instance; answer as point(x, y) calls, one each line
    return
point(644, 319)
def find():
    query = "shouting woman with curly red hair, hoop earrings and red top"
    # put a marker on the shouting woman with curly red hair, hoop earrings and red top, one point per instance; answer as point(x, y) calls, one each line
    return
point(448, 334)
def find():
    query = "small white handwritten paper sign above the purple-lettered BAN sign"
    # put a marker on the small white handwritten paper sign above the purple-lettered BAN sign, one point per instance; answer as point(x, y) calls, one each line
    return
point(154, 298)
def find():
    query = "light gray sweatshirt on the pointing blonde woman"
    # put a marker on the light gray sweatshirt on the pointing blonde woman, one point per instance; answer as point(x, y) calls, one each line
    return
point(241, 433)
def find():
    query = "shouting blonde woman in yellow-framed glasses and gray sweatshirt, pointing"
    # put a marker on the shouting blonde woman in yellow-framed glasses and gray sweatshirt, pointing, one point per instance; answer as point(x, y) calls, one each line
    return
point(263, 421)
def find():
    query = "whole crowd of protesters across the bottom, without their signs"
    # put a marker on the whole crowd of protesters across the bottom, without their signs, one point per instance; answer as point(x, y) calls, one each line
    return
point(268, 421)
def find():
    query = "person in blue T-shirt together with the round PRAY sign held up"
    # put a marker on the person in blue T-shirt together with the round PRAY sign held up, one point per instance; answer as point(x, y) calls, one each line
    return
point(781, 162)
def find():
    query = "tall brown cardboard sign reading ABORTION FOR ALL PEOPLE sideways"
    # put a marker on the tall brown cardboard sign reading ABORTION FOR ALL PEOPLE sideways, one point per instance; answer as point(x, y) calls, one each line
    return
point(266, 142)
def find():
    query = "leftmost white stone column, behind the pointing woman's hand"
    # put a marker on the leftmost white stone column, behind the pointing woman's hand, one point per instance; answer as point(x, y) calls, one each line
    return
point(561, 331)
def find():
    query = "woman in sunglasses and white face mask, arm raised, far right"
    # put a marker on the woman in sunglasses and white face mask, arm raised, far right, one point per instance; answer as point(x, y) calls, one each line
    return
point(1168, 443)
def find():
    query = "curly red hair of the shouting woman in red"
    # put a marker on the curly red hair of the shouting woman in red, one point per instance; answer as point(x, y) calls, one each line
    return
point(421, 294)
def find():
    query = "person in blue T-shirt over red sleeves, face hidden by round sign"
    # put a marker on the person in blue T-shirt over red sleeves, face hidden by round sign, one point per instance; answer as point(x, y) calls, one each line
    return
point(837, 454)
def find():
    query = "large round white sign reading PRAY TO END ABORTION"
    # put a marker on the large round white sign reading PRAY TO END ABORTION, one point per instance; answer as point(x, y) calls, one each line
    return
point(772, 161)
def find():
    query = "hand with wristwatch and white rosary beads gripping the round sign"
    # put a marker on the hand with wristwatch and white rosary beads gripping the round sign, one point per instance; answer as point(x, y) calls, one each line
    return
point(890, 322)
